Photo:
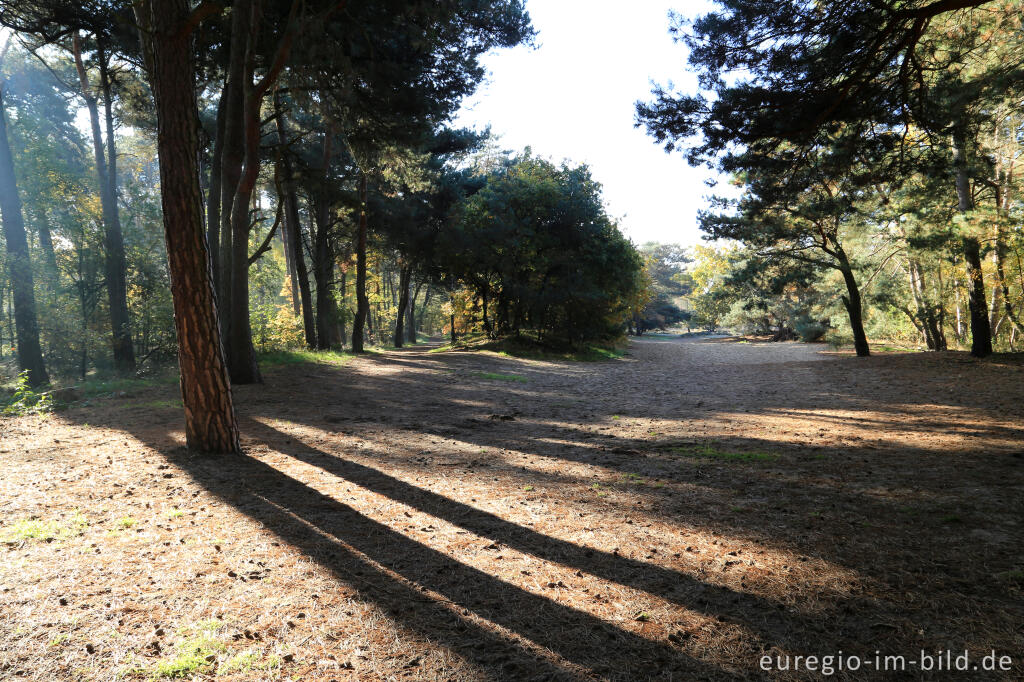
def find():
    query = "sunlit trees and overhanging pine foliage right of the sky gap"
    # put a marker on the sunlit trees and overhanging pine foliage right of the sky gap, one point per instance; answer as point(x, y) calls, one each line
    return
point(876, 144)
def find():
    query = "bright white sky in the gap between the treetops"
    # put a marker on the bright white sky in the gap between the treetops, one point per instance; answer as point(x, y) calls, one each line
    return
point(573, 99)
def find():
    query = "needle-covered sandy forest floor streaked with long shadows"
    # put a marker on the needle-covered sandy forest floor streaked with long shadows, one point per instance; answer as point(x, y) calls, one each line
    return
point(673, 515)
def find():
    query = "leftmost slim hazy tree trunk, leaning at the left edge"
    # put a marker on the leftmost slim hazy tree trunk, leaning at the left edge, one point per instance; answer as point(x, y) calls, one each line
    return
point(30, 355)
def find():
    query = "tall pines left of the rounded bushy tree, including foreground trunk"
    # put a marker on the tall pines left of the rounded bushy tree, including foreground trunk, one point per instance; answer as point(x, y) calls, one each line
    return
point(328, 117)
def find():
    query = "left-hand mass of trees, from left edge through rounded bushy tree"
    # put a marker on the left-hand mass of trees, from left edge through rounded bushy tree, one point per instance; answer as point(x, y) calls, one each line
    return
point(311, 187)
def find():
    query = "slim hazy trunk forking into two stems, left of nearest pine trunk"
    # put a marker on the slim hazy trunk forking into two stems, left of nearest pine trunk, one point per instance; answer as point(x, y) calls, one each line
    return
point(124, 356)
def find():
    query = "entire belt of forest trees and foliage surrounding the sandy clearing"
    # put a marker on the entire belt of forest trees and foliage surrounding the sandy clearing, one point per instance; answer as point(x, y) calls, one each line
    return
point(326, 202)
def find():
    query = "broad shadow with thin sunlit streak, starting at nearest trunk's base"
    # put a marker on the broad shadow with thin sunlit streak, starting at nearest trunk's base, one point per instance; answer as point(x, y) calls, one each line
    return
point(434, 593)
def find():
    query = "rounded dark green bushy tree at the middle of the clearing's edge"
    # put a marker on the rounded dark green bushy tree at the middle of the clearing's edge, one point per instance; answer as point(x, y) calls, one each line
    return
point(538, 251)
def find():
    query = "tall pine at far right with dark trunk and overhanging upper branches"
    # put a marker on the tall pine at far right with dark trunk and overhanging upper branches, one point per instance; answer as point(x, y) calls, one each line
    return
point(789, 76)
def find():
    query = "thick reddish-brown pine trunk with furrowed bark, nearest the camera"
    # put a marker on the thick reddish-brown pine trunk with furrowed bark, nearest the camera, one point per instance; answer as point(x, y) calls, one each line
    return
point(206, 391)
